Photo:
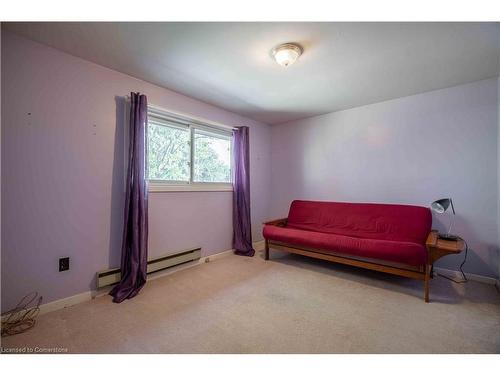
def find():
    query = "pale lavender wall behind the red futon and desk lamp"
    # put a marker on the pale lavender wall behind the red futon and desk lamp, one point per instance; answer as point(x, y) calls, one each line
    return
point(411, 150)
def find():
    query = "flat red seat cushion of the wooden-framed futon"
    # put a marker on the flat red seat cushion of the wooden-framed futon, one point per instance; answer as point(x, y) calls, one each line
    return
point(394, 251)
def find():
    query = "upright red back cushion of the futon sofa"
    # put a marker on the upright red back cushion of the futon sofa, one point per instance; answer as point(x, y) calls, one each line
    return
point(390, 222)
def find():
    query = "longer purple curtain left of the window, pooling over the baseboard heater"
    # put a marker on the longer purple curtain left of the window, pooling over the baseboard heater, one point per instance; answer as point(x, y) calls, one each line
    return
point(135, 229)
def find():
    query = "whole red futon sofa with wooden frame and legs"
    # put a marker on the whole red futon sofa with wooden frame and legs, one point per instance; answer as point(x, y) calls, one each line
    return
point(383, 237)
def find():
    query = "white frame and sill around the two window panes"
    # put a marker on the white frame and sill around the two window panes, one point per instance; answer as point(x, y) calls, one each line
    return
point(191, 123)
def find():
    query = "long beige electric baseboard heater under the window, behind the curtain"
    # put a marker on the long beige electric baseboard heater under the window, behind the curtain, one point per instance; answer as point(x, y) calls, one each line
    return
point(113, 275)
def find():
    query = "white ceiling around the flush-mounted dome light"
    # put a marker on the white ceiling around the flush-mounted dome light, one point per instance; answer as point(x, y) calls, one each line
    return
point(344, 65)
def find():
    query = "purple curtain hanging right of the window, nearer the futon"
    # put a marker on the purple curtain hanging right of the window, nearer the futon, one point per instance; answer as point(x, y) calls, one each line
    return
point(242, 227)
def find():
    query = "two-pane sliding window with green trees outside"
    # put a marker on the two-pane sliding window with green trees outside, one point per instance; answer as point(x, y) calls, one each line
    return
point(185, 154)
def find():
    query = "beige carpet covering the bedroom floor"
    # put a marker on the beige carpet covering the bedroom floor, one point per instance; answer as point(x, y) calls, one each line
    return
point(290, 304)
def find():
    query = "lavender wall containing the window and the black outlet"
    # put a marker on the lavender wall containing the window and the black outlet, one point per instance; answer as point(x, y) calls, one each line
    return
point(62, 173)
